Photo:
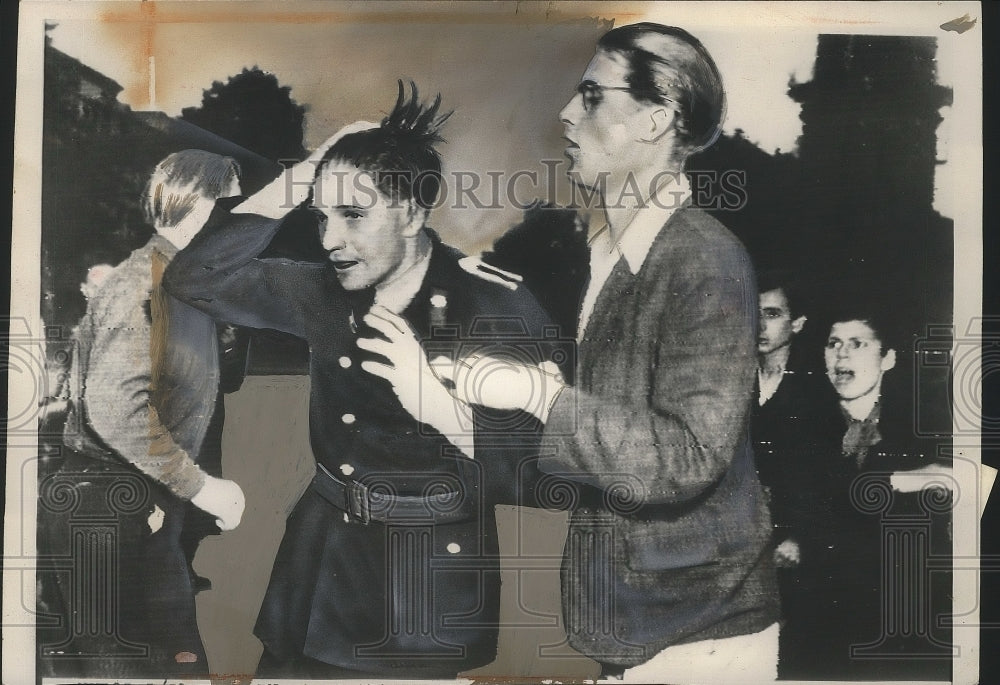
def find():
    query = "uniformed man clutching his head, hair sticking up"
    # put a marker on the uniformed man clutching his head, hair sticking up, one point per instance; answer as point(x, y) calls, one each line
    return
point(389, 565)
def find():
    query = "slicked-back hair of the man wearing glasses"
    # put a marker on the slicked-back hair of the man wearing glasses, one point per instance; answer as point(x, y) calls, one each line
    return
point(668, 64)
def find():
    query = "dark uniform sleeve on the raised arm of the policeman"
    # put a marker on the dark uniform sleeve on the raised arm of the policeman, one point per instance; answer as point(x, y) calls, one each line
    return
point(219, 274)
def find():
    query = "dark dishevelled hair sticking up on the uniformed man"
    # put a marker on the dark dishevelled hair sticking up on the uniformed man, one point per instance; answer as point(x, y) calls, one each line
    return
point(400, 153)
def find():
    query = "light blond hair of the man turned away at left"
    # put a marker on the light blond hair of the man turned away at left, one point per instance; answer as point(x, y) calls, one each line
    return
point(181, 179)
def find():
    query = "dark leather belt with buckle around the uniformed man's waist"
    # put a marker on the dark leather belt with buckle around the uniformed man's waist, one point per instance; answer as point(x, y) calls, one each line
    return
point(366, 505)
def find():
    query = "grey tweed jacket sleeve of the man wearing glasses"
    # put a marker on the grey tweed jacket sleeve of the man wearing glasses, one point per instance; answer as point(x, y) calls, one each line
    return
point(682, 438)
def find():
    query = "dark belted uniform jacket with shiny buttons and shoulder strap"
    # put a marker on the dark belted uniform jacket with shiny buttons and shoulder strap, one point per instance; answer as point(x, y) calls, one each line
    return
point(410, 596)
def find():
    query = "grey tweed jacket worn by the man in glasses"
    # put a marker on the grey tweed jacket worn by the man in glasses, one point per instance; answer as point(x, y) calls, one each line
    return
point(669, 540)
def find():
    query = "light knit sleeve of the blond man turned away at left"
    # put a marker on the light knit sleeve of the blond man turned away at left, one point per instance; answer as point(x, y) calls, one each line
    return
point(119, 398)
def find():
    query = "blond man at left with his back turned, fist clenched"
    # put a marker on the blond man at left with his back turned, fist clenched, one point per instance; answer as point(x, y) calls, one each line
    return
point(145, 381)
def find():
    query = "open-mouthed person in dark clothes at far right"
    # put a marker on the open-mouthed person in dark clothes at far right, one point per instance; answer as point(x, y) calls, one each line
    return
point(875, 534)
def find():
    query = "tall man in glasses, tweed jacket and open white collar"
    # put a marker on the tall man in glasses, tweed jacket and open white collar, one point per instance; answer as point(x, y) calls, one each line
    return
point(667, 572)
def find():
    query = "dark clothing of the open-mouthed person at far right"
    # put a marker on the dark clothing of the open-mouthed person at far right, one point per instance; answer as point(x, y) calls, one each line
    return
point(875, 562)
